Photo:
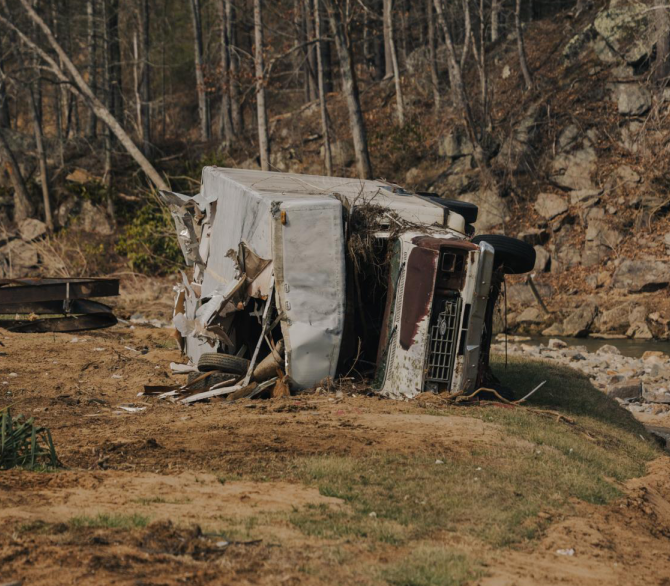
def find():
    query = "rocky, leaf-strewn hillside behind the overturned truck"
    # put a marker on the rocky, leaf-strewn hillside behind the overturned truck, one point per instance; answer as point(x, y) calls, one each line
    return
point(581, 162)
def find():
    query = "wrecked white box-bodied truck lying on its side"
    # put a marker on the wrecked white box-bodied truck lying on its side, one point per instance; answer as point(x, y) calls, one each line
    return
point(333, 275)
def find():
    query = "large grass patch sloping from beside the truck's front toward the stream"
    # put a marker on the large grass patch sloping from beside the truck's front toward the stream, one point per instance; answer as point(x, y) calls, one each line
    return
point(493, 493)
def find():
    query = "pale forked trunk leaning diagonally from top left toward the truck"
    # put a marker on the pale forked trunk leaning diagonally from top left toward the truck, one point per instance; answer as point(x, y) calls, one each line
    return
point(92, 101)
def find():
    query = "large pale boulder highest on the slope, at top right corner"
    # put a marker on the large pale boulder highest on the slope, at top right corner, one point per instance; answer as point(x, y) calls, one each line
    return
point(624, 29)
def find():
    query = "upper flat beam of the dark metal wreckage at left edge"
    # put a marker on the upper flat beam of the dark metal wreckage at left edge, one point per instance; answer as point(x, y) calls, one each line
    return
point(37, 291)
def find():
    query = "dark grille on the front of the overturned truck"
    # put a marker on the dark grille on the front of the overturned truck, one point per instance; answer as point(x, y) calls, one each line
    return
point(443, 348)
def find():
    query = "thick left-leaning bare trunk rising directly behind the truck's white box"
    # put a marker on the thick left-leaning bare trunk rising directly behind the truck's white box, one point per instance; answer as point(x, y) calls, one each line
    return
point(350, 88)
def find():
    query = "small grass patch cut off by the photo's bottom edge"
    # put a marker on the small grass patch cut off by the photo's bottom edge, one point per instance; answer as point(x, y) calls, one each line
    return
point(431, 566)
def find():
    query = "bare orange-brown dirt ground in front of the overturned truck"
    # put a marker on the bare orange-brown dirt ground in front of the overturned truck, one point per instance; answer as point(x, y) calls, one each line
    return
point(195, 478)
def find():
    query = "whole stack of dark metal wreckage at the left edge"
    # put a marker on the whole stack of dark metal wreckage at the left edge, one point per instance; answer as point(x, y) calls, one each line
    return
point(26, 299)
